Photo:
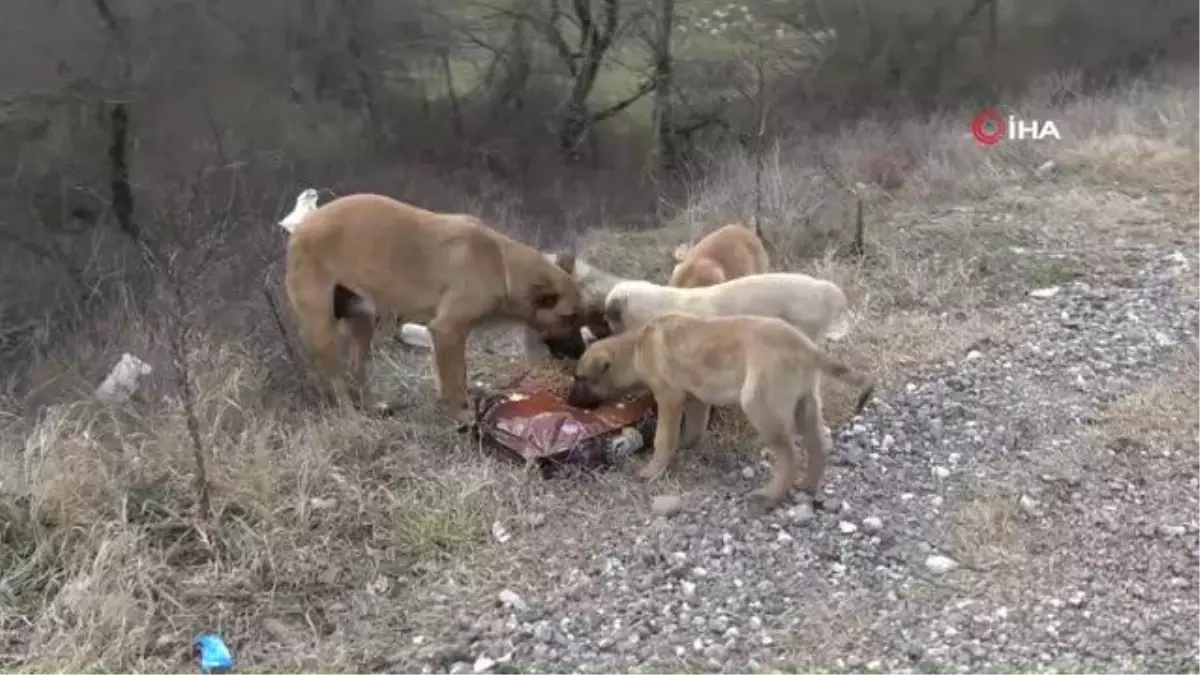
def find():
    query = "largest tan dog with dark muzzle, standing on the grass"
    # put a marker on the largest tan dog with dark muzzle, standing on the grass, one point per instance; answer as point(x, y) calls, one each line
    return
point(363, 256)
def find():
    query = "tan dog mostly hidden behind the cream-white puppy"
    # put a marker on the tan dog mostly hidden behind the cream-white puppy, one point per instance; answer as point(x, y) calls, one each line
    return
point(729, 253)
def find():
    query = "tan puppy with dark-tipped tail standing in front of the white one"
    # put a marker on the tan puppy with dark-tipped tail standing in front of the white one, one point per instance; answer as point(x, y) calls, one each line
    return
point(688, 362)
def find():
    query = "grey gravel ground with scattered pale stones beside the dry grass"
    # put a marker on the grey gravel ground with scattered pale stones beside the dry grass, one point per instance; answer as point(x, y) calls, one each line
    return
point(975, 523)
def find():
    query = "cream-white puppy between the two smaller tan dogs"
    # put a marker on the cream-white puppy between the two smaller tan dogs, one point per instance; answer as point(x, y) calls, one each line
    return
point(813, 306)
